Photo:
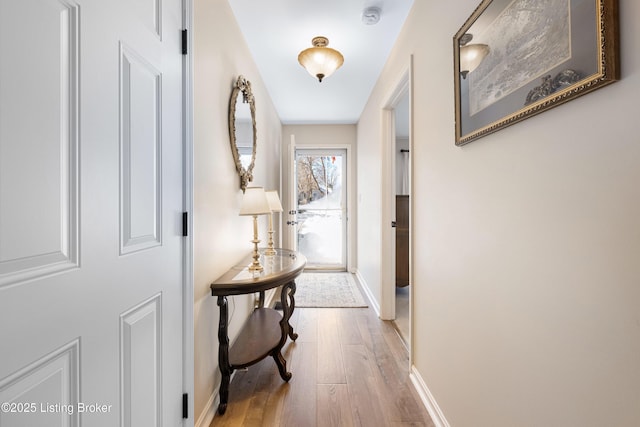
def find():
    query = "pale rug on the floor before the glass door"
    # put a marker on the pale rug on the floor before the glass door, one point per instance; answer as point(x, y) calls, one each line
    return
point(328, 290)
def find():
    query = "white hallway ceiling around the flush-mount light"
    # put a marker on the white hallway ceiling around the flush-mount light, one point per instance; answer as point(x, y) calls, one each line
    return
point(277, 30)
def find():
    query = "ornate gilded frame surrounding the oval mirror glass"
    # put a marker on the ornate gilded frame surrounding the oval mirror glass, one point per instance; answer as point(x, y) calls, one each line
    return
point(242, 87)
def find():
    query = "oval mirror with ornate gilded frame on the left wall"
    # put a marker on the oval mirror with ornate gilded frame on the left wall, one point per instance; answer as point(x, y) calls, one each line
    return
point(242, 129)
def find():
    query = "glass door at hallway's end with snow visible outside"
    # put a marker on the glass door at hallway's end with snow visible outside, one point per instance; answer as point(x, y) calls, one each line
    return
point(321, 213)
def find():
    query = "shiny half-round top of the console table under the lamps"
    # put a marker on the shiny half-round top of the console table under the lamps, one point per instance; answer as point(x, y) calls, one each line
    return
point(279, 269)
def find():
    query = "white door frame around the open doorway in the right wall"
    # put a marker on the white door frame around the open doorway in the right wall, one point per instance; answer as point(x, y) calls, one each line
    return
point(388, 156)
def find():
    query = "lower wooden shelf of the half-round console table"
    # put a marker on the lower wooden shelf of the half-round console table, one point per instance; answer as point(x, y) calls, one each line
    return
point(258, 338)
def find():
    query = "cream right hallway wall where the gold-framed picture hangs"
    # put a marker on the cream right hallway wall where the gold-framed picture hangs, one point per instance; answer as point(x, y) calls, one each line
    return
point(526, 242)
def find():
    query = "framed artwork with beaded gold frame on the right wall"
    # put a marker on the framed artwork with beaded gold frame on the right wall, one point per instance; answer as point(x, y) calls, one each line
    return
point(517, 58)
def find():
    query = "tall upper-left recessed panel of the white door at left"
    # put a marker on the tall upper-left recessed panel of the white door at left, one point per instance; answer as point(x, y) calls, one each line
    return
point(38, 150)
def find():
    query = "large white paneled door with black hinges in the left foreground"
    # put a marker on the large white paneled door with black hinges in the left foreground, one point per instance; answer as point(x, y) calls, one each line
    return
point(91, 201)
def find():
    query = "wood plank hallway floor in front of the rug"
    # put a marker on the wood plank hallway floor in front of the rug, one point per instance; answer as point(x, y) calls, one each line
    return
point(349, 369)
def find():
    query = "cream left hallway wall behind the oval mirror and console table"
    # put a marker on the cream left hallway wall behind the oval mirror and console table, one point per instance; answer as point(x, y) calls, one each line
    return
point(221, 237)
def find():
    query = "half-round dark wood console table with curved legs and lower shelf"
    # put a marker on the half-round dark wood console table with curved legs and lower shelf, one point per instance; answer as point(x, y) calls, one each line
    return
point(266, 331)
